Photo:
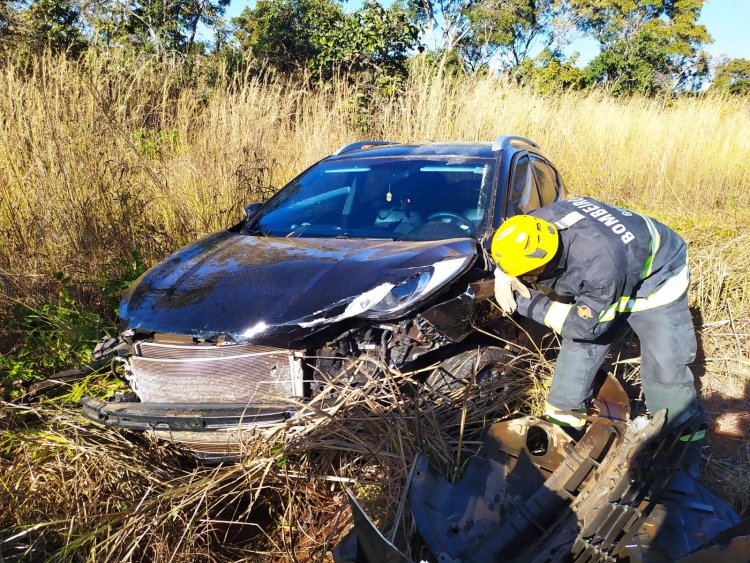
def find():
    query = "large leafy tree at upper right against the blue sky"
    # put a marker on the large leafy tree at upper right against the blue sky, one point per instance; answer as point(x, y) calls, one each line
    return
point(647, 46)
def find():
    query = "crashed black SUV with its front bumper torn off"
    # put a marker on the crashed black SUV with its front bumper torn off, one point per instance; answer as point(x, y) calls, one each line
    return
point(378, 251)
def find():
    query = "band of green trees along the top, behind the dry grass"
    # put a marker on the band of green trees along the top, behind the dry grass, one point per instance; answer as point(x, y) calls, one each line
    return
point(647, 46)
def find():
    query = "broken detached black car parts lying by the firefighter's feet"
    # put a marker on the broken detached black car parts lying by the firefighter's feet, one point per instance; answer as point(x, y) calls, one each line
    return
point(532, 494)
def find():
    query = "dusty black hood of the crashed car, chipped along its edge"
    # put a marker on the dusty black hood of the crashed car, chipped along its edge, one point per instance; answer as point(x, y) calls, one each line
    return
point(246, 285)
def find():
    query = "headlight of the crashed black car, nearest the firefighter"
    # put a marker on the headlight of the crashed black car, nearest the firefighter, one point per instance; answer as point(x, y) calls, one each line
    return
point(417, 287)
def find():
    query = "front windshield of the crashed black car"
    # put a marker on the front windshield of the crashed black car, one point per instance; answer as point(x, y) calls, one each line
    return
point(403, 198)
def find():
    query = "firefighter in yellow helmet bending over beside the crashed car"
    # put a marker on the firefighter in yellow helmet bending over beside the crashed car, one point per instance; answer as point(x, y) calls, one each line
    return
point(594, 265)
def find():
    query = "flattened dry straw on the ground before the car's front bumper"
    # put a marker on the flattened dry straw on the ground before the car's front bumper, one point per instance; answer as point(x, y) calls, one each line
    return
point(106, 496)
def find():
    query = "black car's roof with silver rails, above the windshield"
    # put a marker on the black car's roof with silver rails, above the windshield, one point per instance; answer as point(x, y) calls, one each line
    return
point(369, 149)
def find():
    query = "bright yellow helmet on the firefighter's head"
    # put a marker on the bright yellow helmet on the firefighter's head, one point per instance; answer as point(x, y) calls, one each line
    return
point(523, 243)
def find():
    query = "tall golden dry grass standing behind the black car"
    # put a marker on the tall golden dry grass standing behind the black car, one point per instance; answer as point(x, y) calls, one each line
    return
point(110, 155)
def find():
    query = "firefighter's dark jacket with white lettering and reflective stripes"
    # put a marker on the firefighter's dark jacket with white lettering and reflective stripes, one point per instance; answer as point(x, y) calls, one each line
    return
point(611, 261)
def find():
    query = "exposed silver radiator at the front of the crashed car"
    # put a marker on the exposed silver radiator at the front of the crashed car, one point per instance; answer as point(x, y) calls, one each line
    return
point(238, 373)
